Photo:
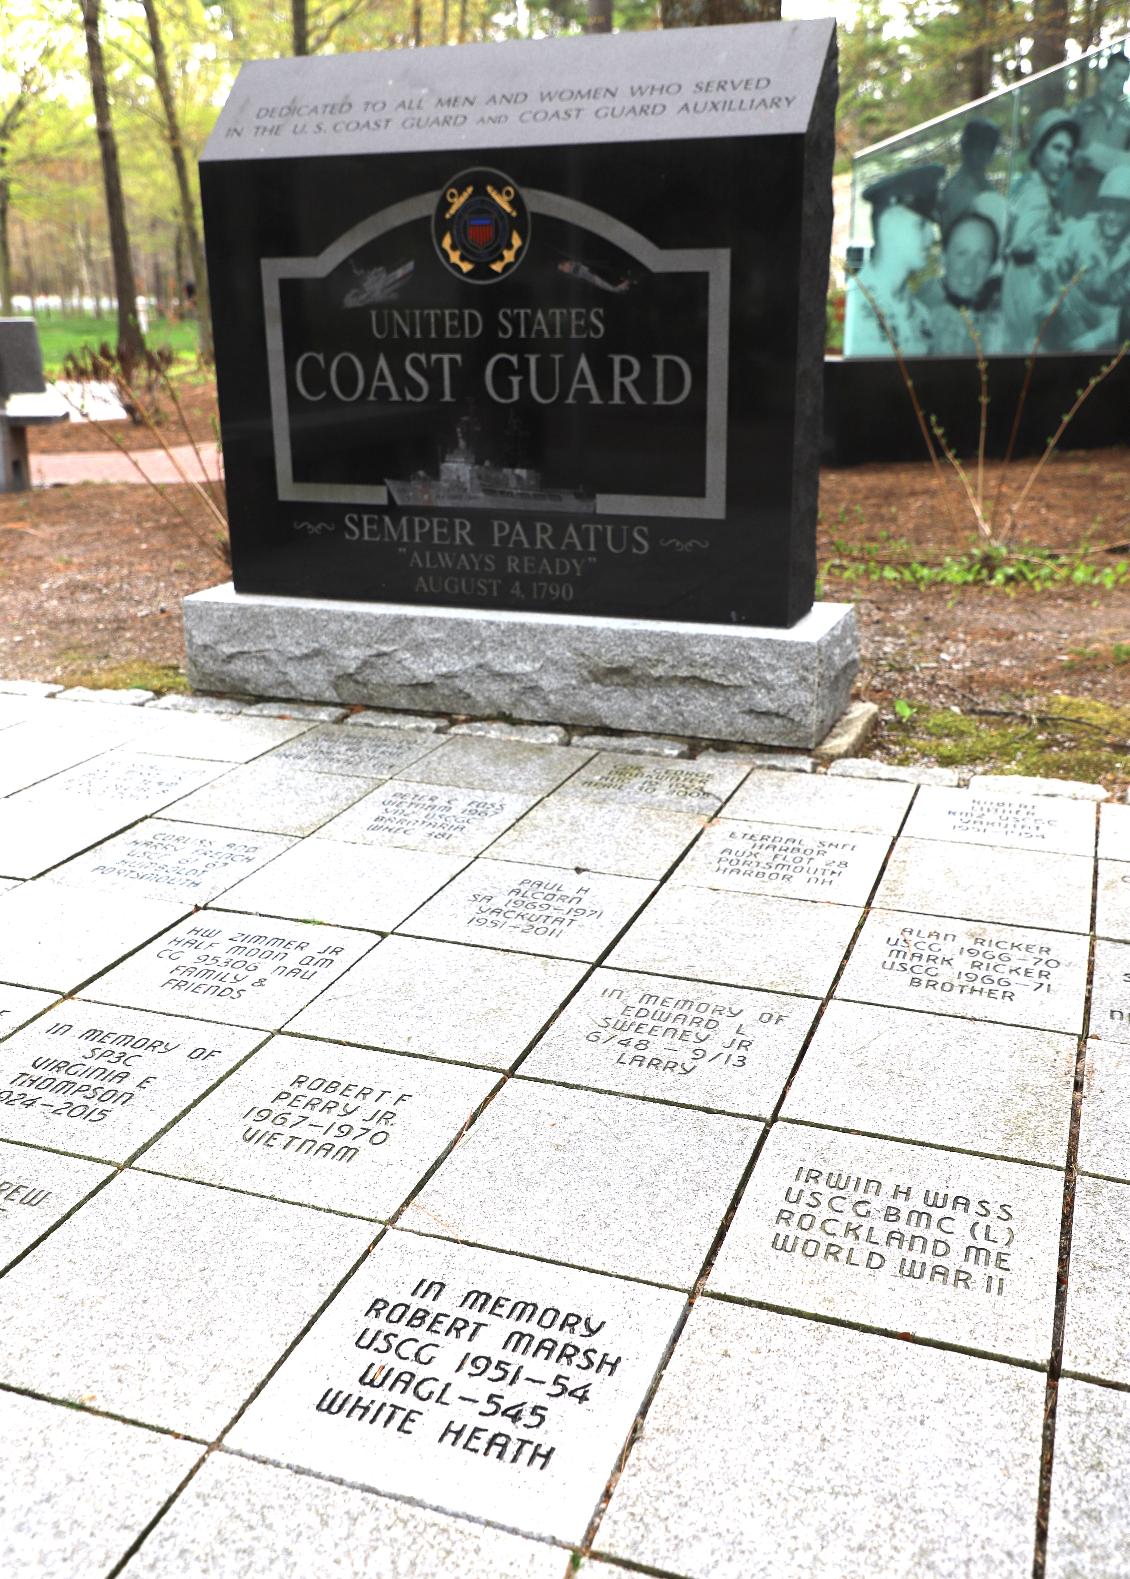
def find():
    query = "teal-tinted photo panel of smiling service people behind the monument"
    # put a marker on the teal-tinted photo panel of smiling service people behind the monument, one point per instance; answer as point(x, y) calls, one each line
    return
point(960, 260)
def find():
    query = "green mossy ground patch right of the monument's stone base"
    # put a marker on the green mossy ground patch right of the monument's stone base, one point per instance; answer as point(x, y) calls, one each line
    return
point(1065, 738)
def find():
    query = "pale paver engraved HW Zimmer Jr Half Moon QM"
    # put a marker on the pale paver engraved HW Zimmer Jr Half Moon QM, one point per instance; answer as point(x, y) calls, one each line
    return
point(234, 969)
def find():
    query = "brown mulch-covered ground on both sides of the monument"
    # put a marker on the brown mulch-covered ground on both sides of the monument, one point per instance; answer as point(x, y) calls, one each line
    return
point(92, 577)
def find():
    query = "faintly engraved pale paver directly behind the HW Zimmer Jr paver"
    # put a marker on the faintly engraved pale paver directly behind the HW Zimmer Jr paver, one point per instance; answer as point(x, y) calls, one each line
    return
point(171, 861)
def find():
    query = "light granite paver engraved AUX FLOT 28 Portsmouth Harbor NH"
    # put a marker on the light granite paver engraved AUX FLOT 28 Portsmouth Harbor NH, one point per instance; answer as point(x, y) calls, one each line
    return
point(774, 858)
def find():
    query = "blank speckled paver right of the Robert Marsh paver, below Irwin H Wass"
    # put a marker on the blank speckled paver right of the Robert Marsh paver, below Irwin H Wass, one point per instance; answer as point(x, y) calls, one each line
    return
point(945, 1452)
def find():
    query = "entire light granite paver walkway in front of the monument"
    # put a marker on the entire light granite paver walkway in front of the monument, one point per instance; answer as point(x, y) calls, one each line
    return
point(430, 1155)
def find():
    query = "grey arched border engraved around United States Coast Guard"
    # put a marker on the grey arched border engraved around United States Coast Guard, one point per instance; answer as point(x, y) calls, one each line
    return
point(711, 261)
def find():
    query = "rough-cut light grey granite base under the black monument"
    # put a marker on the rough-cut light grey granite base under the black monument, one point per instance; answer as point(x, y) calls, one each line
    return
point(722, 683)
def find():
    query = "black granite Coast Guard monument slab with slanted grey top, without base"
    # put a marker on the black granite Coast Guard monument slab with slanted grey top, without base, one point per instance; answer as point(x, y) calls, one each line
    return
point(529, 326)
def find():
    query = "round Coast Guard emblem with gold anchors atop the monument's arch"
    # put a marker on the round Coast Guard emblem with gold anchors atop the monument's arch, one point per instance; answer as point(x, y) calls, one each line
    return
point(482, 227)
